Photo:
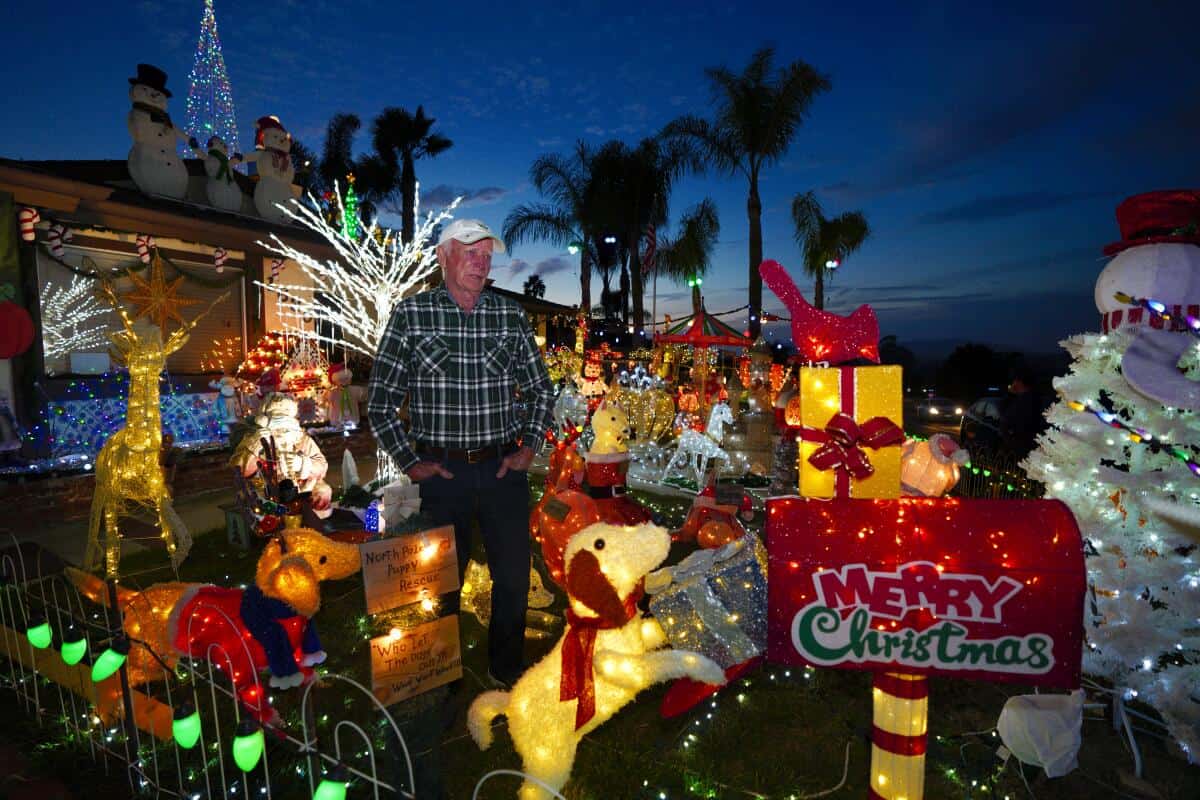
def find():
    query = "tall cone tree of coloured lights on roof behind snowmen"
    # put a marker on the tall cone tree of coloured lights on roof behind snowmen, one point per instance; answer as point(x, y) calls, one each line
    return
point(209, 98)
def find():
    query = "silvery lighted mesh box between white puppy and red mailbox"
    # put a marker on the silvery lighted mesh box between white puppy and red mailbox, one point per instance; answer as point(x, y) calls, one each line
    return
point(716, 603)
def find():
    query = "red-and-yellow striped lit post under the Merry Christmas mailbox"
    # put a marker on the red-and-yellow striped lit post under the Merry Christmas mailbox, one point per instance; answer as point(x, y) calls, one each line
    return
point(898, 742)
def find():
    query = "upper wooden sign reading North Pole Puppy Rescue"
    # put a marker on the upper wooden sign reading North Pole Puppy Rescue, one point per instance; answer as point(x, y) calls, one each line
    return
point(404, 570)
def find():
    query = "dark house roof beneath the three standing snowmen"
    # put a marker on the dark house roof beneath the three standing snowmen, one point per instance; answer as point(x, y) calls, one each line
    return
point(101, 193)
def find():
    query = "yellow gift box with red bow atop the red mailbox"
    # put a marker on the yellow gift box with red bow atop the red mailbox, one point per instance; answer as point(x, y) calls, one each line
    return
point(853, 431)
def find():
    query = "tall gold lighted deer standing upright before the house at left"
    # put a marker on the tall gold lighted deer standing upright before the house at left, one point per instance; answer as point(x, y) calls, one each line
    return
point(129, 472)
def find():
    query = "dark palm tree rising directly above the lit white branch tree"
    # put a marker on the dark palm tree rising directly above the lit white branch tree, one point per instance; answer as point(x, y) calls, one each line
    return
point(400, 140)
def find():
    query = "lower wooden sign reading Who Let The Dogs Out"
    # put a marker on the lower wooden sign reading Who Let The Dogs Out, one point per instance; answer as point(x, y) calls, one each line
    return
point(416, 661)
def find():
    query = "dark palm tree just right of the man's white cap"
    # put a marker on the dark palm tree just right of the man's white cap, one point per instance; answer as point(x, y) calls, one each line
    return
point(563, 221)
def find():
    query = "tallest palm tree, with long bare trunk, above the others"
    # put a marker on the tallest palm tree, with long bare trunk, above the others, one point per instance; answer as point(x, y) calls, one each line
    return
point(758, 115)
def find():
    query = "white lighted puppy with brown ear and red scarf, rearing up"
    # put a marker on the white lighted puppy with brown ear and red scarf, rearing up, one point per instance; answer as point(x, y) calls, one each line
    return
point(607, 657)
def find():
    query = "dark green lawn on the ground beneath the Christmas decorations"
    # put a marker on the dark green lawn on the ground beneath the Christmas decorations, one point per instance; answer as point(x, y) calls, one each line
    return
point(775, 735)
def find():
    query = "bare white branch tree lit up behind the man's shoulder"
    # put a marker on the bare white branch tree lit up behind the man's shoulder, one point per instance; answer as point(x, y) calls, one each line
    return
point(355, 293)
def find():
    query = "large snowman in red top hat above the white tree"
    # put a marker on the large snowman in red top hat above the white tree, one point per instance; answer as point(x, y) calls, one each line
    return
point(1159, 258)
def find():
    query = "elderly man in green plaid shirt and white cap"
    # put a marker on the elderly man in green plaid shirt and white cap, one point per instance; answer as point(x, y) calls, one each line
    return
point(461, 356)
